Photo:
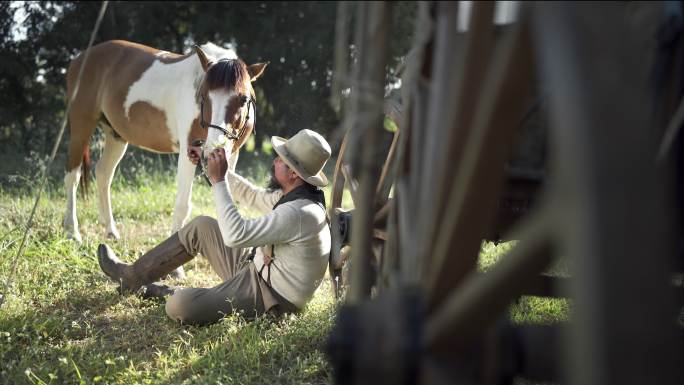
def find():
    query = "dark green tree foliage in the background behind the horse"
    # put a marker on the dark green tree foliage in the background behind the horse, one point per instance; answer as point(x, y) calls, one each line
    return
point(38, 39)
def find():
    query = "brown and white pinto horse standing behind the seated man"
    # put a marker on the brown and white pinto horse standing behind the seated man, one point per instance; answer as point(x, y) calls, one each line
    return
point(152, 99)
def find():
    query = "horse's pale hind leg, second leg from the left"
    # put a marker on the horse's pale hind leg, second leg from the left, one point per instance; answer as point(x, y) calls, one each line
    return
point(111, 156)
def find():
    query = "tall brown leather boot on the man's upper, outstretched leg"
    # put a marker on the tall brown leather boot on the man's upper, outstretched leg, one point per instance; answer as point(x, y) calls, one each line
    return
point(155, 264)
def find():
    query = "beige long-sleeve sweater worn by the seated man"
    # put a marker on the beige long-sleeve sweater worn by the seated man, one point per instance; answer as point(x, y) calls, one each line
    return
point(297, 229)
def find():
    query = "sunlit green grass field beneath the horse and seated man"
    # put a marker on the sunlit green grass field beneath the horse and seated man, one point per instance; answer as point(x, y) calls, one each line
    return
point(64, 323)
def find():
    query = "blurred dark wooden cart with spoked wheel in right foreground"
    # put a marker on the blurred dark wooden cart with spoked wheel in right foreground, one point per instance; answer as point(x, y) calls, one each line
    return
point(606, 199)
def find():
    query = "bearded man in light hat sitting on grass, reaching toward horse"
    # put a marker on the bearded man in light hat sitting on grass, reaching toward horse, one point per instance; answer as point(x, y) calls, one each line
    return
point(273, 263)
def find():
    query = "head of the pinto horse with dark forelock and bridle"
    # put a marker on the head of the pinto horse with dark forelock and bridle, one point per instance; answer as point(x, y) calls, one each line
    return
point(226, 99)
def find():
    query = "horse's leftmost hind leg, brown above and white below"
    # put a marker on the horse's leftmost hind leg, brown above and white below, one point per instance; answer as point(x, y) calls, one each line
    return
point(81, 128)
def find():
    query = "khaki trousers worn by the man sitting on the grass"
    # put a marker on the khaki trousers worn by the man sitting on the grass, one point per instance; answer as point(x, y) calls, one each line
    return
point(242, 288)
